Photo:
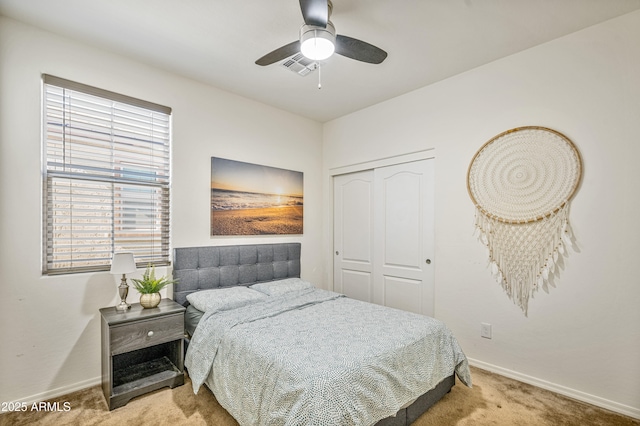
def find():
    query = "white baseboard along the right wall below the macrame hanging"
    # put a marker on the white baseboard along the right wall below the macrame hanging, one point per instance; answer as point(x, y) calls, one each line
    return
point(562, 390)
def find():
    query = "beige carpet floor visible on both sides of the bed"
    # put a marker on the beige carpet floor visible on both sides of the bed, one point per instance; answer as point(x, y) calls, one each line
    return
point(493, 400)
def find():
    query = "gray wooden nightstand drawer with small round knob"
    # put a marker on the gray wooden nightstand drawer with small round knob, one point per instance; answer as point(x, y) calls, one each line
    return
point(142, 334)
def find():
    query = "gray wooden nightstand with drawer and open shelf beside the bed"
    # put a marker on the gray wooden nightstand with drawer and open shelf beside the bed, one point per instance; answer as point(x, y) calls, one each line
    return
point(142, 350)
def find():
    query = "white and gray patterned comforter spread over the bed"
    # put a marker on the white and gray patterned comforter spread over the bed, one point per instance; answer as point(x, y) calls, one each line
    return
point(314, 357)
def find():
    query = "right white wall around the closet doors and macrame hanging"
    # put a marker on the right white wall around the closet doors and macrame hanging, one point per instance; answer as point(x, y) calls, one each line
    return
point(583, 338)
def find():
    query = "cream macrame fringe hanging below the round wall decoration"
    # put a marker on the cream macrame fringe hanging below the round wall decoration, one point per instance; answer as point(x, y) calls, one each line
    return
point(523, 256)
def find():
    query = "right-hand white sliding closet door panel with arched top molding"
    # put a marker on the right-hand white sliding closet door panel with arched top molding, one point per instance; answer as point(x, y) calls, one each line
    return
point(403, 236)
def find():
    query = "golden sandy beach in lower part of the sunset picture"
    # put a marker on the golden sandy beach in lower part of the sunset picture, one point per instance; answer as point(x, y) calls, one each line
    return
point(271, 220)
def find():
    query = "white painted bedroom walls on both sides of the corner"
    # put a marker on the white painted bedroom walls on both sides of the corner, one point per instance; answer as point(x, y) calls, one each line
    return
point(581, 339)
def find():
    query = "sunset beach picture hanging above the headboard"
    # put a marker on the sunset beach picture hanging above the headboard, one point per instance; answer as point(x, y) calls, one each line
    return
point(250, 199)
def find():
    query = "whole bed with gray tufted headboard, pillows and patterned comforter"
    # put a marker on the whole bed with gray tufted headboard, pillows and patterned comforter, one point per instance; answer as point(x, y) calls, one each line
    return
point(295, 354)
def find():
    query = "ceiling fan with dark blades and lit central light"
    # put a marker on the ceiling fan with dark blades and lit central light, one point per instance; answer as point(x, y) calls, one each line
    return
point(318, 39)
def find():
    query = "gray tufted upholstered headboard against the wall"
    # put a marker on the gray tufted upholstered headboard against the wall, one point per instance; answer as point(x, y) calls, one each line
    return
point(201, 268)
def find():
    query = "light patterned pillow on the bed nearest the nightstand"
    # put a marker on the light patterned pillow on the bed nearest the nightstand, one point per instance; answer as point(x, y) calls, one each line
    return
point(222, 299)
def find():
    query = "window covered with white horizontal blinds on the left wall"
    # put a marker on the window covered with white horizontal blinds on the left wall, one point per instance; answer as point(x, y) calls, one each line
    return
point(106, 178)
